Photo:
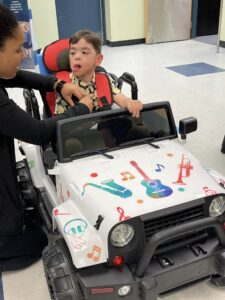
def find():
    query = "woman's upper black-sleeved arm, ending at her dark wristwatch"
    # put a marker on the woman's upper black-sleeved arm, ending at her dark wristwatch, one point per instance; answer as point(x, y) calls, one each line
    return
point(30, 80)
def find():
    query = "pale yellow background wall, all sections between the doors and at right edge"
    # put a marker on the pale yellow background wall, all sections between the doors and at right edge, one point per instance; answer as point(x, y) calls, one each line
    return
point(124, 20)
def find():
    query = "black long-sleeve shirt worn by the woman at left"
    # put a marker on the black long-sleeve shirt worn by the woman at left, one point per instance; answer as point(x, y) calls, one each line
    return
point(16, 123)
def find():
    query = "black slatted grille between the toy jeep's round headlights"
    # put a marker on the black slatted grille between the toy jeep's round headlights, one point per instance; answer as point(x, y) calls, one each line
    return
point(165, 222)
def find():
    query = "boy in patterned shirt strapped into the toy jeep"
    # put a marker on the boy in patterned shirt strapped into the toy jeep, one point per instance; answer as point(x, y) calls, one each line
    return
point(85, 55)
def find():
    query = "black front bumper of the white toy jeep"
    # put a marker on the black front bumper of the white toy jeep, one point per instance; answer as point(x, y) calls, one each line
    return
point(155, 275)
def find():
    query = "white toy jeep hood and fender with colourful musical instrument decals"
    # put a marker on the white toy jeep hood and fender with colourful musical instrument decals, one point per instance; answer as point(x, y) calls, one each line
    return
point(138, 180)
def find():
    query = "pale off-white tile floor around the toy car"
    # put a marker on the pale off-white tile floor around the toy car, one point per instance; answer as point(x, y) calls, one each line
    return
point(202, 96)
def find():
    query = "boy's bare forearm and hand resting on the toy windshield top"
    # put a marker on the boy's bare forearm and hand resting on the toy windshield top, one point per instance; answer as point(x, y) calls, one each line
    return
point(133, 106)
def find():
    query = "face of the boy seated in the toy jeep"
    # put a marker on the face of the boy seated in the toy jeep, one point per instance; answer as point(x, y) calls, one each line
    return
point(83, 60)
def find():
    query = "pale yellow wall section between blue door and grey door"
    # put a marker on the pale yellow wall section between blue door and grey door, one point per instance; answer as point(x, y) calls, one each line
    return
point(124, 20)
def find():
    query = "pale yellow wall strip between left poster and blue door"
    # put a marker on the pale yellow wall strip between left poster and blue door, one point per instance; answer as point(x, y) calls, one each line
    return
point(44, 21)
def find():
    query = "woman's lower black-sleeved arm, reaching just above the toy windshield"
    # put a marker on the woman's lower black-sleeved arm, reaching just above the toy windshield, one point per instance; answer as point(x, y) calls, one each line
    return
point(16, 123)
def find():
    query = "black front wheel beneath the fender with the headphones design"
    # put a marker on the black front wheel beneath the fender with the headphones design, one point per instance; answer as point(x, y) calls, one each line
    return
point(60, 272)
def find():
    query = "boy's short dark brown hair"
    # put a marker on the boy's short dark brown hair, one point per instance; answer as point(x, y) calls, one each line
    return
point(89, 36)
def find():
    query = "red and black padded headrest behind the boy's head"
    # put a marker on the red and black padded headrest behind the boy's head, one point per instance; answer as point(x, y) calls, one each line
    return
point(56, 56)
